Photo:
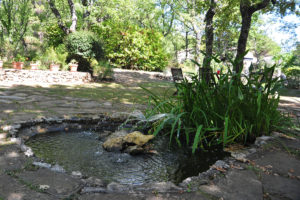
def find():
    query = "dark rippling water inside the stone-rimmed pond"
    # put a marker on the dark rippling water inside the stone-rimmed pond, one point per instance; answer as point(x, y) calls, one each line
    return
point(82, 151)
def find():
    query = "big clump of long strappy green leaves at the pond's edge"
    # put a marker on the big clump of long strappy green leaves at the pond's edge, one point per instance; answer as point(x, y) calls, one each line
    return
point(205, 115)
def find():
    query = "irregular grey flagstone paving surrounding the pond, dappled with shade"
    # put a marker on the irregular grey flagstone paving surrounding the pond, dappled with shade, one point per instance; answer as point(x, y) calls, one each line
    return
point(270, 171)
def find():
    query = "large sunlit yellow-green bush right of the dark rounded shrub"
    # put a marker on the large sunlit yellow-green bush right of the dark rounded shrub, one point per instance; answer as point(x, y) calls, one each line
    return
point(132, 47)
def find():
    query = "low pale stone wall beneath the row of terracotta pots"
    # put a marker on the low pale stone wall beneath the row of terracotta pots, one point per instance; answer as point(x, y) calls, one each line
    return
point(41, 76)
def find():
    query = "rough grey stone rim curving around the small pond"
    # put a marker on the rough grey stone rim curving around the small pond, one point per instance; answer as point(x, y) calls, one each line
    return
point(94, 185)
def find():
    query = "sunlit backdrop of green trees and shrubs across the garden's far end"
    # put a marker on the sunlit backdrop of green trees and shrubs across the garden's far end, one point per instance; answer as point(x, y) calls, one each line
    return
point(143, 34)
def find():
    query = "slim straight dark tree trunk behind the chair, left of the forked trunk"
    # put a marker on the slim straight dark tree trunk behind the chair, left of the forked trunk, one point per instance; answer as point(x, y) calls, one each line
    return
point(209, 35)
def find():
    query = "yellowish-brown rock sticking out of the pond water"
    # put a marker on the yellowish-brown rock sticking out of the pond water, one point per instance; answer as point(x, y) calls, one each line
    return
point(131, 143)
